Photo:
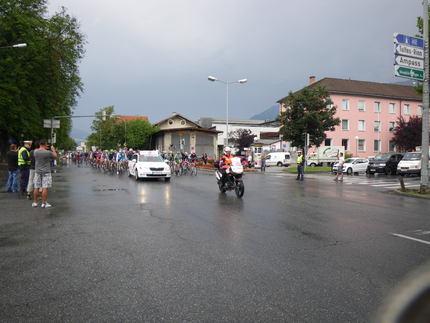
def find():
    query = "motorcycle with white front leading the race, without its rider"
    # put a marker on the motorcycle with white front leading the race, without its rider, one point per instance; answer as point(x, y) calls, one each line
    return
point(234, 178)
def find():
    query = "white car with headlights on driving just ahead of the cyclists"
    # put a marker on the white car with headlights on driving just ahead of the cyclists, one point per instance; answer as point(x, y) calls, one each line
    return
point(148, 164)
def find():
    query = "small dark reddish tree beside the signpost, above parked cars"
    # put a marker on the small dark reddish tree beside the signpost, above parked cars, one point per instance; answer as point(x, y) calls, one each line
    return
point(407, 134)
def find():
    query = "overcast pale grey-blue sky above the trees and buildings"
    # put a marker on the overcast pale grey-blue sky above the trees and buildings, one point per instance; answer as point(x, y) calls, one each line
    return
point(153, 57)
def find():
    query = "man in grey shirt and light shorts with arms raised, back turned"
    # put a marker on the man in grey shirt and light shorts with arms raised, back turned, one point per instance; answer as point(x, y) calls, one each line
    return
point(42, 176)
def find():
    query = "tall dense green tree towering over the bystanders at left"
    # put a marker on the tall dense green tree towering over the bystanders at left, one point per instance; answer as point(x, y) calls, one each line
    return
point(41, 80)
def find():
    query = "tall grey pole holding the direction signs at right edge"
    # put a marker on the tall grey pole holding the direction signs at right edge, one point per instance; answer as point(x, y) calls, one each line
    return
point(425, 130)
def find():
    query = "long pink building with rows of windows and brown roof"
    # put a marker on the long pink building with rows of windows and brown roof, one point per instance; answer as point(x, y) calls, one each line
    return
point(368, 113)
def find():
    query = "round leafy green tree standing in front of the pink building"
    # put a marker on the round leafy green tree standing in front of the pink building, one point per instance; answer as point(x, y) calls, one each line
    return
point(311, 111)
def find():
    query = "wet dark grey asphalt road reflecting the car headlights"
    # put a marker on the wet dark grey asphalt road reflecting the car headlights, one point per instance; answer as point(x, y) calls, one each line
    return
point(113, 249)
